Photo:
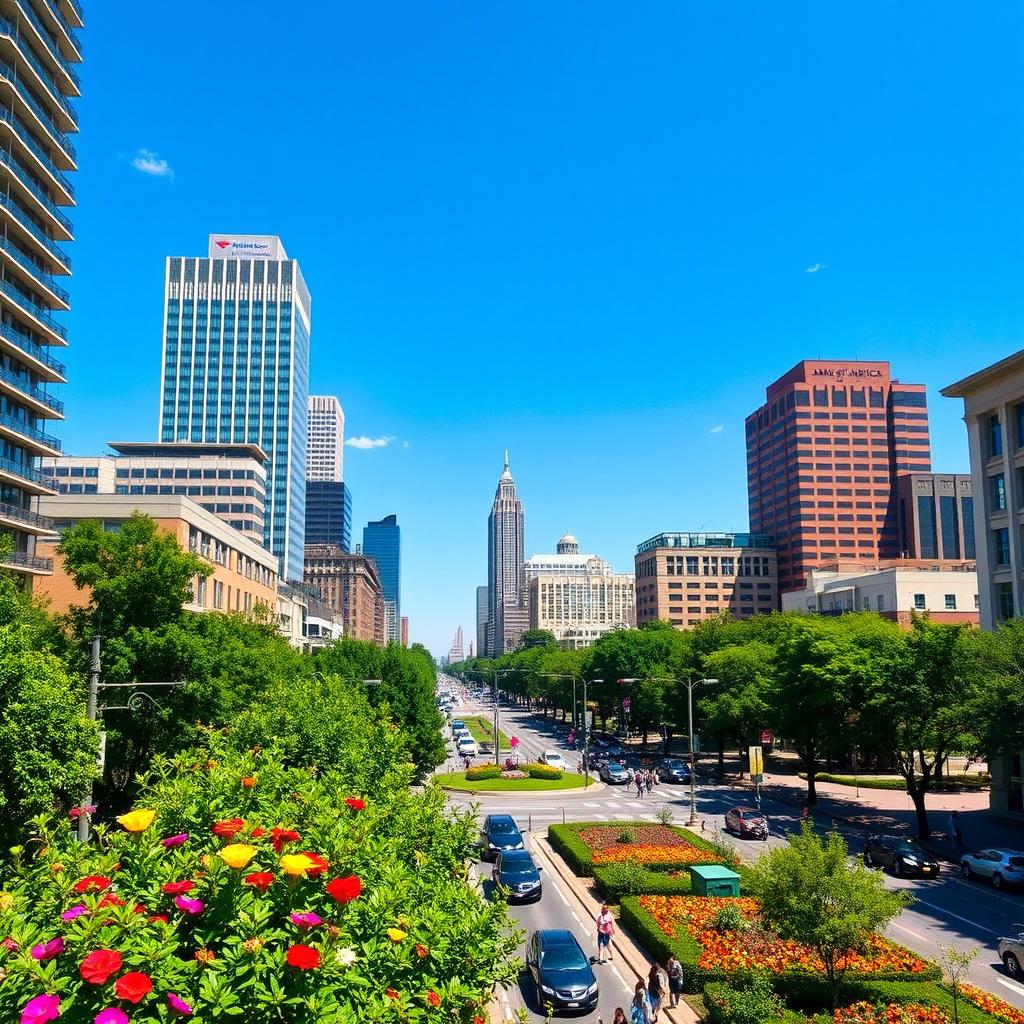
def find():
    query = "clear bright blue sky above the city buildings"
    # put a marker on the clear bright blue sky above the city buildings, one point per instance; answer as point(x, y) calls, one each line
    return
point(578, 231)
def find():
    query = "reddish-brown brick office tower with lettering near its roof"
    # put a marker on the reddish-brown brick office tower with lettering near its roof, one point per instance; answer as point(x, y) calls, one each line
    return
point(823, 457)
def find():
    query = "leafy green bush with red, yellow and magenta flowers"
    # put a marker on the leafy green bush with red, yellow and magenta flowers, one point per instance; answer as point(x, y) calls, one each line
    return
point(290, 901)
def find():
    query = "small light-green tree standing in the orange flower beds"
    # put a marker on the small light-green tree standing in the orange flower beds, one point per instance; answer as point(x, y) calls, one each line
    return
point(812, 892)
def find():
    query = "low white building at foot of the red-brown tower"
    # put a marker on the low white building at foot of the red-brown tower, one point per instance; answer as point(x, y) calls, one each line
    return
point(946, 591)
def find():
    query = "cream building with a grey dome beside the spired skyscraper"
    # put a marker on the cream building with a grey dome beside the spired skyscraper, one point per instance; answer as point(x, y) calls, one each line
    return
point(577, 596)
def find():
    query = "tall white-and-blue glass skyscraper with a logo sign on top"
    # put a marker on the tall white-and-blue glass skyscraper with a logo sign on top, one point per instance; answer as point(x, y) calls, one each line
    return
point(236, 368)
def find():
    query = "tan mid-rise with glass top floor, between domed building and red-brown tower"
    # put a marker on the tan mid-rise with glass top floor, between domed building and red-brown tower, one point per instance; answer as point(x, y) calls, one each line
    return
point(688, 578)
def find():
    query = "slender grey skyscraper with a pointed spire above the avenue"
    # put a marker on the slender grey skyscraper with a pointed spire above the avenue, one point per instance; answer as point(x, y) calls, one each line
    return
point(505, 554)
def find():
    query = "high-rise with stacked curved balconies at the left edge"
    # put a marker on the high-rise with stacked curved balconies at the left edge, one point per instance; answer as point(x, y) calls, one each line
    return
point(36, 119)
